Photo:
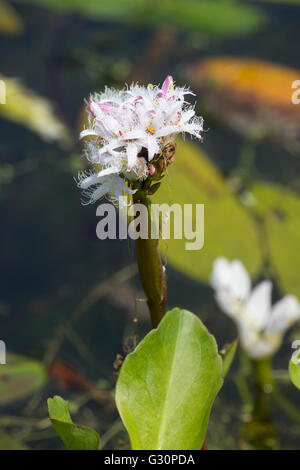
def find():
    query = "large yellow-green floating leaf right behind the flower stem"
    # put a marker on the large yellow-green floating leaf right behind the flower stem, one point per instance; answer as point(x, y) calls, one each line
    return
point(194, 179)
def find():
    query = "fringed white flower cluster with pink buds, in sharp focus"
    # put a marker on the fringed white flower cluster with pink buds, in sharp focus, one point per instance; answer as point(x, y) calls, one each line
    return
point(129, 130)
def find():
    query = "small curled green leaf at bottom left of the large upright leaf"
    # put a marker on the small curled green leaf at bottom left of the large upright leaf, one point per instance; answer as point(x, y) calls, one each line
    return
point(74, 436)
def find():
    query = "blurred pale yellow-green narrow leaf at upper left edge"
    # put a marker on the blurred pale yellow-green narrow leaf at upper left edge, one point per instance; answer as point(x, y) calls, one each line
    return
point(23, 106)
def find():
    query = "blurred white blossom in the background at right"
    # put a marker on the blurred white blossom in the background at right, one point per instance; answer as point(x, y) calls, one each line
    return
point(260, 325)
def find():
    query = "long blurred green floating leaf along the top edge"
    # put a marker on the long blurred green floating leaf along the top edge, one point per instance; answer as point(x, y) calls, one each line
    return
point(208, 15)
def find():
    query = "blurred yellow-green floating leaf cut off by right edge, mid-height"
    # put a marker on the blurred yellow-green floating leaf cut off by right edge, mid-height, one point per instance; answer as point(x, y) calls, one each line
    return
point(279, 209)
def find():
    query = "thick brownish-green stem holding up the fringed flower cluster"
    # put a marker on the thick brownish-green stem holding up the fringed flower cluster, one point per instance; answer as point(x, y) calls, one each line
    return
point(150, 267)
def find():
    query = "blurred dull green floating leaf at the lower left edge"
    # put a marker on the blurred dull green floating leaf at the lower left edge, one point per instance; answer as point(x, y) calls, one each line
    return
point(20, 377)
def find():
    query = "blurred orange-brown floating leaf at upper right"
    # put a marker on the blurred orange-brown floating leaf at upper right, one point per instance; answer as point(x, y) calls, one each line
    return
point(252, 96)
